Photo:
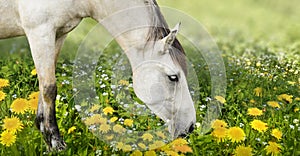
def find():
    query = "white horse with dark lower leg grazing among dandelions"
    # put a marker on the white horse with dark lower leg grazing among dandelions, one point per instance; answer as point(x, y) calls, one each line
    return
point(159, 74)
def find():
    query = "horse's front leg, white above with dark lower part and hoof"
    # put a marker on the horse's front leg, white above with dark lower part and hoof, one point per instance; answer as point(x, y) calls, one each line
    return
point(45, 48)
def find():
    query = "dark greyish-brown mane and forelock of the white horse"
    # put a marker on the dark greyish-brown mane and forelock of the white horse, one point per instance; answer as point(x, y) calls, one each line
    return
point(160, 30)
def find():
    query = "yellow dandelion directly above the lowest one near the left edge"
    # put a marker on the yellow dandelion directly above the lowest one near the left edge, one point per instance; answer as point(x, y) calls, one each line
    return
point(12, 124)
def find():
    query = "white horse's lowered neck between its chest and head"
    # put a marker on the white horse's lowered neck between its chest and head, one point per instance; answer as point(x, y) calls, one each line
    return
point(128, 22)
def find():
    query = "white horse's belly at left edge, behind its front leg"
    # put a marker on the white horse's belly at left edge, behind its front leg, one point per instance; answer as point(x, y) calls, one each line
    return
point(10, 24)
